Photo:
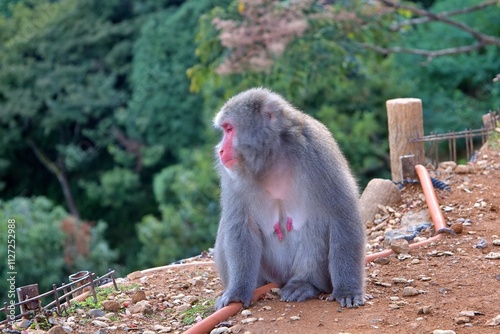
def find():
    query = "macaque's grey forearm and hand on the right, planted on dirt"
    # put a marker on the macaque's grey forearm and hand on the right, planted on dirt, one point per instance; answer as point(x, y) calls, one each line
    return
point(346, 265)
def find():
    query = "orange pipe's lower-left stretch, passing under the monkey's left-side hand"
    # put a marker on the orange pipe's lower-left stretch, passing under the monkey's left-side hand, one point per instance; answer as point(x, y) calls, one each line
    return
point(209, 323)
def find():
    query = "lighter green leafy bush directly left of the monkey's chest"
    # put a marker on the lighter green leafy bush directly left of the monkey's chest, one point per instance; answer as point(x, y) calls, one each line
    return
point(187, 194)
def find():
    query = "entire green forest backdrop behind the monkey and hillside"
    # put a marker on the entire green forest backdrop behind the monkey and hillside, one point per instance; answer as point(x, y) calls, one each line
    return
point(106, 109)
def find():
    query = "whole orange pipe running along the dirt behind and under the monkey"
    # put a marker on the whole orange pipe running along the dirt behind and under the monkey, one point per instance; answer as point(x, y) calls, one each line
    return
point(209, 323)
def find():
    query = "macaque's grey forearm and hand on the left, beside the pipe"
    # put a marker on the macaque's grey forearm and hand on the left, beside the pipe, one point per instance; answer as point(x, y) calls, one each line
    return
point(239, 252)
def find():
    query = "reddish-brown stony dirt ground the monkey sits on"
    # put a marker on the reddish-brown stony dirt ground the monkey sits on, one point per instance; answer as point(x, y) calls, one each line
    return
point(457, 285)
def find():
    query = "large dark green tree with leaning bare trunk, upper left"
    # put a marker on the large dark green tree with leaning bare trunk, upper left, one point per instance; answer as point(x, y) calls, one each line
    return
point(64, 70)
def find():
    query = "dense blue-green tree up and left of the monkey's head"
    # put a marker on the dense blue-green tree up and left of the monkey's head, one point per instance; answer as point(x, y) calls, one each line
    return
point(162, 112)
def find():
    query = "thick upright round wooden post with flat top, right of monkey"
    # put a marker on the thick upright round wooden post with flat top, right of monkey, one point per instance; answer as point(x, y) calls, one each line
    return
point(405, 119)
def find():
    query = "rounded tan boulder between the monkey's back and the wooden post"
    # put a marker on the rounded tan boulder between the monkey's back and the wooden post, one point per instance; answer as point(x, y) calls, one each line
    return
point(378, 191)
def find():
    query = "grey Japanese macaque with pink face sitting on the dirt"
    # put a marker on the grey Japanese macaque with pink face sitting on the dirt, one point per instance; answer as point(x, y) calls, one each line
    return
point(290, 212)
